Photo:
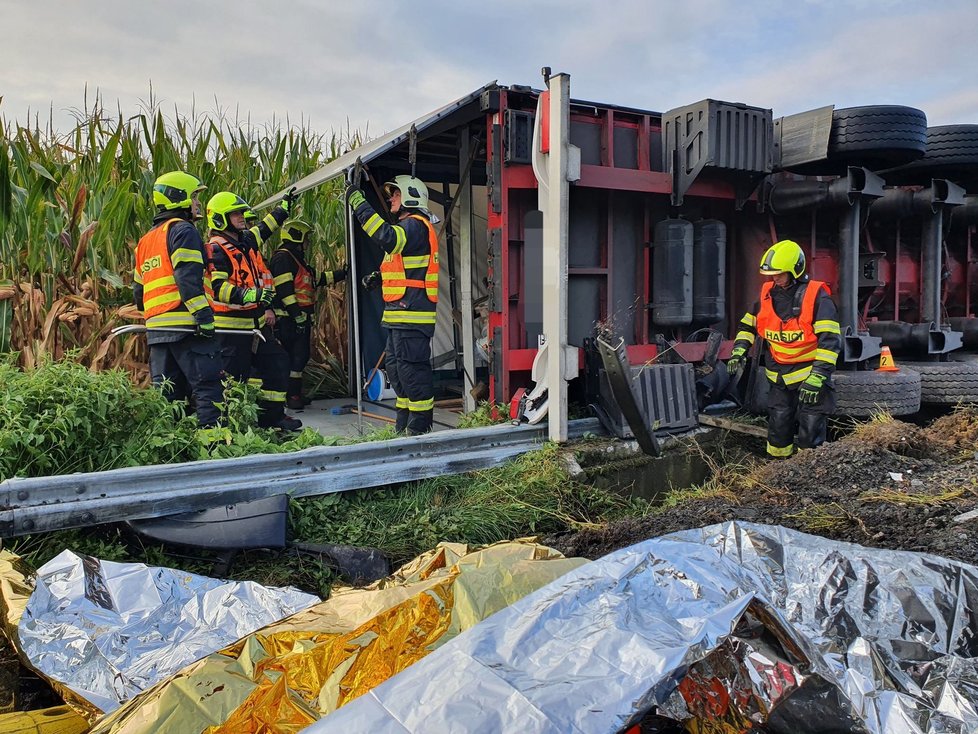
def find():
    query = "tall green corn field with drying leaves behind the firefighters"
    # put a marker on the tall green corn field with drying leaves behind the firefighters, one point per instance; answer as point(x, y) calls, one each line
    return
point(73, 205)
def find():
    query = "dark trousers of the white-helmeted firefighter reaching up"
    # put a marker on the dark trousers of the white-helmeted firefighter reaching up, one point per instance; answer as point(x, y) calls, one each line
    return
point(408, 365)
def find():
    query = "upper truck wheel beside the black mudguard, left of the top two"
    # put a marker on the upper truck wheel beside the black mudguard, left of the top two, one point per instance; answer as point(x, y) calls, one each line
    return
point(878, 136)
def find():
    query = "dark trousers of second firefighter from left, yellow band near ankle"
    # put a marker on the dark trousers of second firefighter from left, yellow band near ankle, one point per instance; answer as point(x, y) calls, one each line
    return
point(268, 363)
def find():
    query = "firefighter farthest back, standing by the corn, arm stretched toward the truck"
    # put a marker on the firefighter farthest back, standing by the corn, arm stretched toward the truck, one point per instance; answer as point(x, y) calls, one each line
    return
point(295, 300)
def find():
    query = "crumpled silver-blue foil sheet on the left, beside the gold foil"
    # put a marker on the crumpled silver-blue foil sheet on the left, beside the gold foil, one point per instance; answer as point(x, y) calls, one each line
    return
point(106, 631)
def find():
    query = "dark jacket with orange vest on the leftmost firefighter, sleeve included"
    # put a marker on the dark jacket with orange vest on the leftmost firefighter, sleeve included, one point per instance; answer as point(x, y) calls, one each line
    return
point(170, 285)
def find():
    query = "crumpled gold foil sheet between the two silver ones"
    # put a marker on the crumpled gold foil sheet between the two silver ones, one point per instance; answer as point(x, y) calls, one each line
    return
point(287, 675)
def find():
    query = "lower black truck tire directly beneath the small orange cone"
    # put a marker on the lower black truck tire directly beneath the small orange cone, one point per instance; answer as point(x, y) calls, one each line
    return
point(861, 394)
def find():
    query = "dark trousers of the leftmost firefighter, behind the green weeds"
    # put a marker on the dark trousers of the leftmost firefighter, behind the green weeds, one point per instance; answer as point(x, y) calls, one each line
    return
point(190, 367)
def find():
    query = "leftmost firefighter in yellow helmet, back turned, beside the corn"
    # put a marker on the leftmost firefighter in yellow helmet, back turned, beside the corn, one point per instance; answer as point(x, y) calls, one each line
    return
point(172, 289)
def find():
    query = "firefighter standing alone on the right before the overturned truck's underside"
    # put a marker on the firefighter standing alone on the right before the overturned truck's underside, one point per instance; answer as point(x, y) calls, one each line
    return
point(796, 319)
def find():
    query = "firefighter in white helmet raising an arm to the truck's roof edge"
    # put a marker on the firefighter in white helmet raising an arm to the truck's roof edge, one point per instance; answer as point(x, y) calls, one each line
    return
point(409, 280)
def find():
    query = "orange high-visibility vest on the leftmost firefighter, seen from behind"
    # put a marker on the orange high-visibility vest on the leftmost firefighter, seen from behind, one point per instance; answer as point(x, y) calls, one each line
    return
point(162, 305)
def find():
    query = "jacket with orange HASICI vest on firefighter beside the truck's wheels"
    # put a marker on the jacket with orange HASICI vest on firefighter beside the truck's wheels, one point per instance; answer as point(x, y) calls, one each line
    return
point(800, 331)
